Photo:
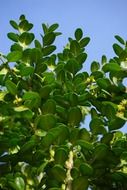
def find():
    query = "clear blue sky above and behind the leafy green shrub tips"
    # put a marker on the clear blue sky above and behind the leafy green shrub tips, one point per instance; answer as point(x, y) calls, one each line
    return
point(99, 19)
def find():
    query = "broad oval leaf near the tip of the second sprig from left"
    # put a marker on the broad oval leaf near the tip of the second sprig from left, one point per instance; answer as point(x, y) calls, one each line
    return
point(48, 39)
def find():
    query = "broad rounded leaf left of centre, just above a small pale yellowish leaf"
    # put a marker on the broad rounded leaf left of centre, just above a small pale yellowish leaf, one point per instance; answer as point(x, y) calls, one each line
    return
point(46, 122)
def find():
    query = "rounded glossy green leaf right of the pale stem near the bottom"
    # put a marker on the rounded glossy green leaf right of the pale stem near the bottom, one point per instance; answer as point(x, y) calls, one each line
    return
point(86, 169)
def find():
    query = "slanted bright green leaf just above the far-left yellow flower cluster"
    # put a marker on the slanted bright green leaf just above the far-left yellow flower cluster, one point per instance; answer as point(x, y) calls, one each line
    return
point(11, 87)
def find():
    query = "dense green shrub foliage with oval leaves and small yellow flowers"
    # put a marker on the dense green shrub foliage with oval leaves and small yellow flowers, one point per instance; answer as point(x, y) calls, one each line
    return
point(44, 99)
